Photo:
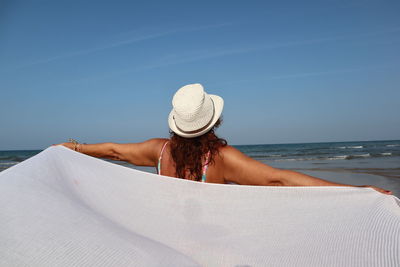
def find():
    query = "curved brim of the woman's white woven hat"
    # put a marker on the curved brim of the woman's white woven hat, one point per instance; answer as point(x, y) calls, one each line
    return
point(218, 107)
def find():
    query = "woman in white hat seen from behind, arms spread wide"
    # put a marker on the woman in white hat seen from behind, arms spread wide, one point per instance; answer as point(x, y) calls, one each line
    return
point(194, 152)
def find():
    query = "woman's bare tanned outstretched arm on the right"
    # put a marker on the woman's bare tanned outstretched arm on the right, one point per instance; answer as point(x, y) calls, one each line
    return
point(242, 169)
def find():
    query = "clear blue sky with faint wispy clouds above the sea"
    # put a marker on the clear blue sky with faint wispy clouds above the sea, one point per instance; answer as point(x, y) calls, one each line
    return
point(289, 71)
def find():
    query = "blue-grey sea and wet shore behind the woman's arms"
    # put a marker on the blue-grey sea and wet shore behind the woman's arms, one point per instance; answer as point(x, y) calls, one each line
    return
point(369, 162)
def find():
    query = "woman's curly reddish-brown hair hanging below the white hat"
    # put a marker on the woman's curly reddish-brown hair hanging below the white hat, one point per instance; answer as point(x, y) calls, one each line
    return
point(188, 153)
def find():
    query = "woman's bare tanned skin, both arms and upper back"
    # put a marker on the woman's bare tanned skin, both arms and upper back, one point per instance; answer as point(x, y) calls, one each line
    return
point(230, 165)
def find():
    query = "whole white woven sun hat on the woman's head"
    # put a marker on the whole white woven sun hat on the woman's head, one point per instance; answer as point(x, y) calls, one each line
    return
point(194, 111)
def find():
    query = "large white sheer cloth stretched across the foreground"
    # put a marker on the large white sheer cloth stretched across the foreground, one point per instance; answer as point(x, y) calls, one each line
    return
point(63, 208)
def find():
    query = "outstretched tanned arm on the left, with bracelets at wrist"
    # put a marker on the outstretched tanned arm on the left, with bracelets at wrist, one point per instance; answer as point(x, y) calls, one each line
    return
point(140, 154)
